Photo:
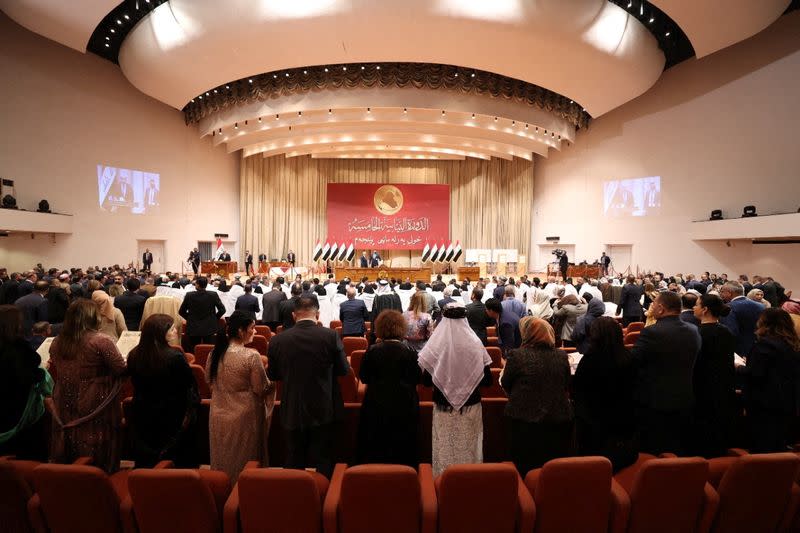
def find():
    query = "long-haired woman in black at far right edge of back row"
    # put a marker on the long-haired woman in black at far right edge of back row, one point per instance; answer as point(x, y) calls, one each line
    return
point(772, 380)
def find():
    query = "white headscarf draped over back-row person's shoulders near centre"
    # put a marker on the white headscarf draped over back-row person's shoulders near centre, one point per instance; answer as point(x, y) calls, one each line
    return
point(454, 357)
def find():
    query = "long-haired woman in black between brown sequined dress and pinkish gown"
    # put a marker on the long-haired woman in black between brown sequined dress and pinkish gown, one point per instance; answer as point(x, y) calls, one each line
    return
point(165, 397)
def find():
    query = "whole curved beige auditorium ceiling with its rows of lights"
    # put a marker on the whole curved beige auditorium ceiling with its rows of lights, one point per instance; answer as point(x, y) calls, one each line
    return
point(443, 79)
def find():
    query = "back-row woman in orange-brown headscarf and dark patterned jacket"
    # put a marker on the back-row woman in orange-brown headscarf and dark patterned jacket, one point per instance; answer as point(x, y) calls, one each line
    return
point(536, 380)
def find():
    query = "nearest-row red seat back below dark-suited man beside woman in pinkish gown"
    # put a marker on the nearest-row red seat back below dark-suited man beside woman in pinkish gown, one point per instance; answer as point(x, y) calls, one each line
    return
point(280, 500)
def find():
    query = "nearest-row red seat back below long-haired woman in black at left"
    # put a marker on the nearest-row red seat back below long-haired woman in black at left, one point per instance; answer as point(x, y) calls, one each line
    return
point(167, 500)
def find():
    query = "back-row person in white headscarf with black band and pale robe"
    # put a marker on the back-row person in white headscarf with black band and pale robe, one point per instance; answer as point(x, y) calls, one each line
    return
point(455, 362)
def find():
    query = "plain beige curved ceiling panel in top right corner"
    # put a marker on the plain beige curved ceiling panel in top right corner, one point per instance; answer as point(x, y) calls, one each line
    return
point(712, 25)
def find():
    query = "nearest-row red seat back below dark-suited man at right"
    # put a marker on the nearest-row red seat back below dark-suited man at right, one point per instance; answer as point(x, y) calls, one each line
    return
point(662, 487)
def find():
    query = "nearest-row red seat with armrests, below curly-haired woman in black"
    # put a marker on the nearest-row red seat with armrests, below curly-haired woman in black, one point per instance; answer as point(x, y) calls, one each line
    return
point(385, 498)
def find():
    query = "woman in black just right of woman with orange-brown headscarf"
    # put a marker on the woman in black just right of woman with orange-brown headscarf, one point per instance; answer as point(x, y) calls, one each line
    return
point(603, 387)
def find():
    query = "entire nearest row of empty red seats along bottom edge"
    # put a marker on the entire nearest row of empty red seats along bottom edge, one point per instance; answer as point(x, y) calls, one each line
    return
point(751, 493)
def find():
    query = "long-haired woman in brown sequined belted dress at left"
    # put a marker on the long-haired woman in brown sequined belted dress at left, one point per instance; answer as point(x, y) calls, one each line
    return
point(87, 369)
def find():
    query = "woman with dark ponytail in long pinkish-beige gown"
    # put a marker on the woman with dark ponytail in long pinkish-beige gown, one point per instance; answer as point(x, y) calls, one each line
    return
point(241, 398)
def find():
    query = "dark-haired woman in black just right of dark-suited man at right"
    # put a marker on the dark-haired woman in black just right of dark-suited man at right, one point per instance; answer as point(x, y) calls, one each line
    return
point(714, 379)
